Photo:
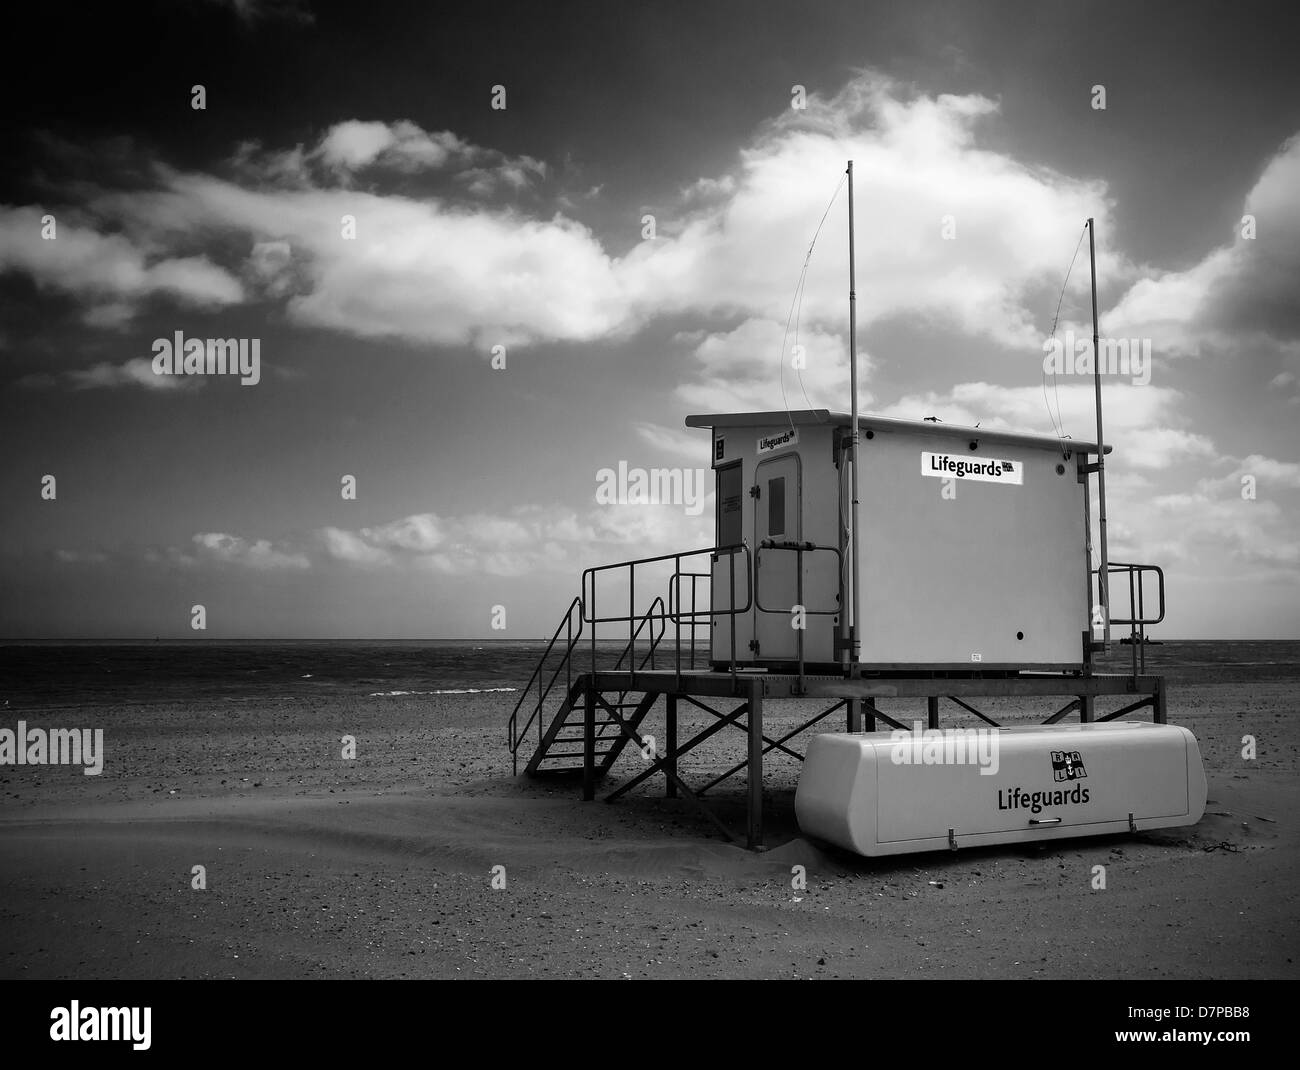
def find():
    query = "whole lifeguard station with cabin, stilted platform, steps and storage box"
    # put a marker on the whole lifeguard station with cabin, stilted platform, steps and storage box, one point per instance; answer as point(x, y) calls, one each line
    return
point(859, 558)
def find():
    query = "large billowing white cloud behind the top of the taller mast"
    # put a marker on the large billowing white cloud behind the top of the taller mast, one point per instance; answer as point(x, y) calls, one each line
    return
point(921, 161)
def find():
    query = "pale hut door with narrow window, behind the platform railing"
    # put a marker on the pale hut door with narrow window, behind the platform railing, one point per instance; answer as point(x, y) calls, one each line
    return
point(778, 517)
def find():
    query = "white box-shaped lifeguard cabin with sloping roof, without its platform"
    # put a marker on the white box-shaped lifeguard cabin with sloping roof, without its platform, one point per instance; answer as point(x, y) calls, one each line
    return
point(973, 549)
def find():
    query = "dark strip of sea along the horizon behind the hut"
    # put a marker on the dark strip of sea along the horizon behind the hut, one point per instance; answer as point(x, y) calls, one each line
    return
point(50, 673)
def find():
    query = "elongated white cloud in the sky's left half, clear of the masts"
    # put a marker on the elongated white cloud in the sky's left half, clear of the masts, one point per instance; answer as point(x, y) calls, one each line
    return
point(419, 271)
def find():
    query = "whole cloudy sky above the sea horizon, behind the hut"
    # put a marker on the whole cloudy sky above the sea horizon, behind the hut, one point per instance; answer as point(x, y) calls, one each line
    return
point(473, 310)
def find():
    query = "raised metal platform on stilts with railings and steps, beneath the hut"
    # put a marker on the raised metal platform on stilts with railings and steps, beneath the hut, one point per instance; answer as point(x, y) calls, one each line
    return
point(580, 720)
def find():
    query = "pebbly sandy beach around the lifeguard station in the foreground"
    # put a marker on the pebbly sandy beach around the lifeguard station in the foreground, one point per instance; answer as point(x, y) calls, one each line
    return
point(383, 867)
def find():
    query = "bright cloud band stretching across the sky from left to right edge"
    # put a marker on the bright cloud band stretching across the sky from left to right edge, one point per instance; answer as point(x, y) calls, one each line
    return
point(440, 259)
